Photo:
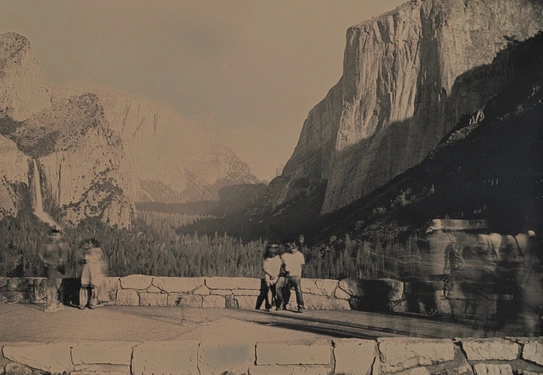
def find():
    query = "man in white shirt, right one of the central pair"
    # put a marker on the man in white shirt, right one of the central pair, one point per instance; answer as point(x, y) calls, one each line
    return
point(292, 264)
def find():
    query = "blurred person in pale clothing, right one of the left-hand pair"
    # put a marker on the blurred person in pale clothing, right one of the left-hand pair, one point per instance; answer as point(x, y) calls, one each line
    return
point(92, 275)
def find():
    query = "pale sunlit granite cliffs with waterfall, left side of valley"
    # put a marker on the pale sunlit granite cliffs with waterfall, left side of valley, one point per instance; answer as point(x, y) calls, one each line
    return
point(99, 151)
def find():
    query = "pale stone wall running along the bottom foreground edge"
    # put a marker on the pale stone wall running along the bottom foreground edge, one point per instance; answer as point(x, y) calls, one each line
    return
point(383, 356)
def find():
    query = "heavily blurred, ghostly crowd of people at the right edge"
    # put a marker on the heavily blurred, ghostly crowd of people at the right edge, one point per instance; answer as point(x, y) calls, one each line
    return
point(482, 266)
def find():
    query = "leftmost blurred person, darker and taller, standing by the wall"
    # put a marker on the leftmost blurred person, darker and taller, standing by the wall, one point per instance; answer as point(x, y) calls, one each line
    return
point(53, 255)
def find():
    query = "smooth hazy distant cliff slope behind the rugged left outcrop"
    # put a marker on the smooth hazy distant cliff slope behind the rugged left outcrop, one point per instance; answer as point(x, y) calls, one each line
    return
point(174, 160)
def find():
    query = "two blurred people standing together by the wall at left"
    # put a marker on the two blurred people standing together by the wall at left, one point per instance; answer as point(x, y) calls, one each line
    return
point(91, 259)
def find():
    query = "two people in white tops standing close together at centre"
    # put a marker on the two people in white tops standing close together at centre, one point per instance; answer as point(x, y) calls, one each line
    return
point(282, 267)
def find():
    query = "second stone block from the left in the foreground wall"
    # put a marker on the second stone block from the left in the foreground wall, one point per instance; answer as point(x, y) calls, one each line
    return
point(113, 353)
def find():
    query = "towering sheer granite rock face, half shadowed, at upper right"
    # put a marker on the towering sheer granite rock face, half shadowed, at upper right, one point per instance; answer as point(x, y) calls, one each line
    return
point(408, 78)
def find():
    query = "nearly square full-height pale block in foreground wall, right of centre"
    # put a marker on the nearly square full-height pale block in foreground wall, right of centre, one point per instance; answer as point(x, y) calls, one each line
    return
point(354, 356)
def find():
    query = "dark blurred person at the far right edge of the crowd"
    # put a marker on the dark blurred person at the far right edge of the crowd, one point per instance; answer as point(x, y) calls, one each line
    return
point(530, 282)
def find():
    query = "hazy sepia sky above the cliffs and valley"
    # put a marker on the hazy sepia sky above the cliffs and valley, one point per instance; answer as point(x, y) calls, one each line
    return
point(248, 71)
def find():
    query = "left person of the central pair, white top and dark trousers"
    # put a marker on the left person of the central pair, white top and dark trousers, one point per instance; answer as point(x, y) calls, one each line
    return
point(271, 266)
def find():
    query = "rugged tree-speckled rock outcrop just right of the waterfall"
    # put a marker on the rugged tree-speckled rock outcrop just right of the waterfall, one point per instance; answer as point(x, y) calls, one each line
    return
point(80, 161)
